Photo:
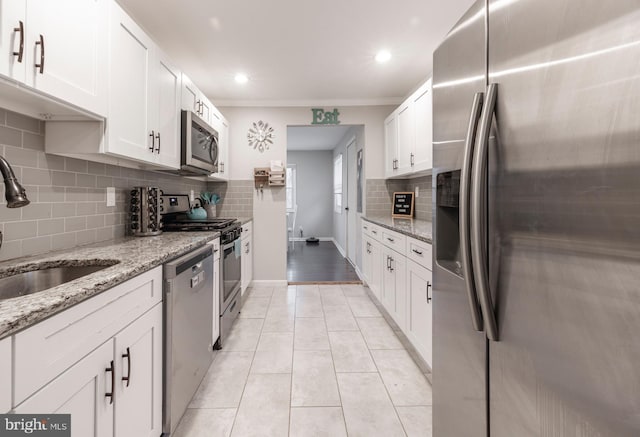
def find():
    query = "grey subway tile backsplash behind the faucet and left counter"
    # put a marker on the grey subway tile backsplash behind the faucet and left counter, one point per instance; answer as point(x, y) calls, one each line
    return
point(68, 196)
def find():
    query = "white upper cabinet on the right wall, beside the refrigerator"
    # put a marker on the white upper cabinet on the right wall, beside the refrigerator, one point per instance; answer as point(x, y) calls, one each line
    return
point(408, 136)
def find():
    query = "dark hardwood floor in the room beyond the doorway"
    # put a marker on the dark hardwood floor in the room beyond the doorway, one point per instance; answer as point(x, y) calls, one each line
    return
point(318, 263)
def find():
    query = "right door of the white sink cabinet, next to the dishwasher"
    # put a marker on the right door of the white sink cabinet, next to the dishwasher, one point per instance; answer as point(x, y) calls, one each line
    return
point(138, 390)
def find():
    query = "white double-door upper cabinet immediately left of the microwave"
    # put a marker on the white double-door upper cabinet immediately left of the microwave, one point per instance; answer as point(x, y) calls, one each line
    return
point(145, 97)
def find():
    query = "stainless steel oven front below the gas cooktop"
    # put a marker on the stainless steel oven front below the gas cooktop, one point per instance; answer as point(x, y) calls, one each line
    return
point(230, 266)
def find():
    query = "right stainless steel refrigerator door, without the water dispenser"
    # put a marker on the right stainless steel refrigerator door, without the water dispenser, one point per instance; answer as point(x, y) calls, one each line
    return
point(566, 188)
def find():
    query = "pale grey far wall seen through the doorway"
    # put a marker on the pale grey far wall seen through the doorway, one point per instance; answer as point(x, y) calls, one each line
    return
point(314, 192)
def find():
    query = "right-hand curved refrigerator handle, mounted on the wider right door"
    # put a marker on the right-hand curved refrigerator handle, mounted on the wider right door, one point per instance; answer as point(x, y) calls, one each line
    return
point(478, 219)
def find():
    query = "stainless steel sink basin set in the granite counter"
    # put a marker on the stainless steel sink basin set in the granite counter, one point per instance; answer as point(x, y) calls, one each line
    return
point(47, 277)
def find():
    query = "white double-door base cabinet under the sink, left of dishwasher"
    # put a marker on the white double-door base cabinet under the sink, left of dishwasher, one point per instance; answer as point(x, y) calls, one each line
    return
point(100, 361)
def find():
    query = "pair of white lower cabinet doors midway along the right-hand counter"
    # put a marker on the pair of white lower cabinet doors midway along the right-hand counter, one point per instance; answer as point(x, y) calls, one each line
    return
point(394, 293)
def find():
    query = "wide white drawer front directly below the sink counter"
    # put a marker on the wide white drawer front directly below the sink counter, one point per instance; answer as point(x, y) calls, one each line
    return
point(48, 348)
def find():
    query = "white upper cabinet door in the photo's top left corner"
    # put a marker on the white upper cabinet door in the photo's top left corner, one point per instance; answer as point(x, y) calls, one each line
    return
point(12, 13)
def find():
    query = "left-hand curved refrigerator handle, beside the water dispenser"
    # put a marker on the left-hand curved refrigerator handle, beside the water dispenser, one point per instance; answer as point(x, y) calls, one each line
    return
point(465, 180)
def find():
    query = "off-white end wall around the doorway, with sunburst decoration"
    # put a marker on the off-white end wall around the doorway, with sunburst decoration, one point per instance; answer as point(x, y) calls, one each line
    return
point(269, 209)
